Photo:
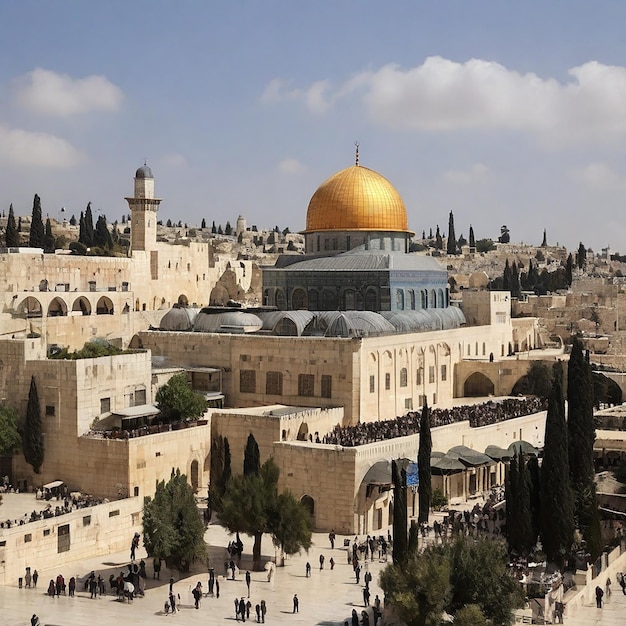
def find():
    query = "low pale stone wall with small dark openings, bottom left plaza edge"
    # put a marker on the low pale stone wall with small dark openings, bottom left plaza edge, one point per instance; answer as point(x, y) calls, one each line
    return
point(57, 541)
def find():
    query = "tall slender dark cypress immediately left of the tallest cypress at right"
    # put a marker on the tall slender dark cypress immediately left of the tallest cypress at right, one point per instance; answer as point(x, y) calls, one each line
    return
point(557, 506)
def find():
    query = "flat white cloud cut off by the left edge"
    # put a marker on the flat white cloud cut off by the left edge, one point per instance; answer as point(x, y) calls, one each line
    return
point(37, 149)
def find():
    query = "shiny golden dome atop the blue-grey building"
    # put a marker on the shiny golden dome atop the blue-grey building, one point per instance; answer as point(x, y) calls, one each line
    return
point(356, 198)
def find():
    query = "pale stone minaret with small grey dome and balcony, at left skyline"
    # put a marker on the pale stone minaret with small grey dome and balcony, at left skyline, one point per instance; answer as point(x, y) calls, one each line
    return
point(143, 210)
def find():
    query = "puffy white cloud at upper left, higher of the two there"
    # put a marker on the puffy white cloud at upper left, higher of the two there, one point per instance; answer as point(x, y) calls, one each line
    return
point(48, 93)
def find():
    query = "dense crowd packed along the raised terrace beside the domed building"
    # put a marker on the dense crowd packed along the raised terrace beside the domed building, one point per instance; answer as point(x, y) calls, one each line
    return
point(483, 414)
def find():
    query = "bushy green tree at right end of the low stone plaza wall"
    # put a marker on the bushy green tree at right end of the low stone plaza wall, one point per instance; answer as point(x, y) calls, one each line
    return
point(172, 524)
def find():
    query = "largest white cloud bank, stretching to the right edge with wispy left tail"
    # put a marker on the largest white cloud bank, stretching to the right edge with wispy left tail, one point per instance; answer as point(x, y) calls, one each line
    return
point(441, 95)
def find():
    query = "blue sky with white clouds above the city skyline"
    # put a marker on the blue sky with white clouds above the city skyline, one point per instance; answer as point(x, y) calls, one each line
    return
point(503, 112)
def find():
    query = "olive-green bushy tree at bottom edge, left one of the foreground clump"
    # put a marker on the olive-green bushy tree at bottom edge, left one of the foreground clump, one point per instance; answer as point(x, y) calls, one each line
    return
point(419, 589)
